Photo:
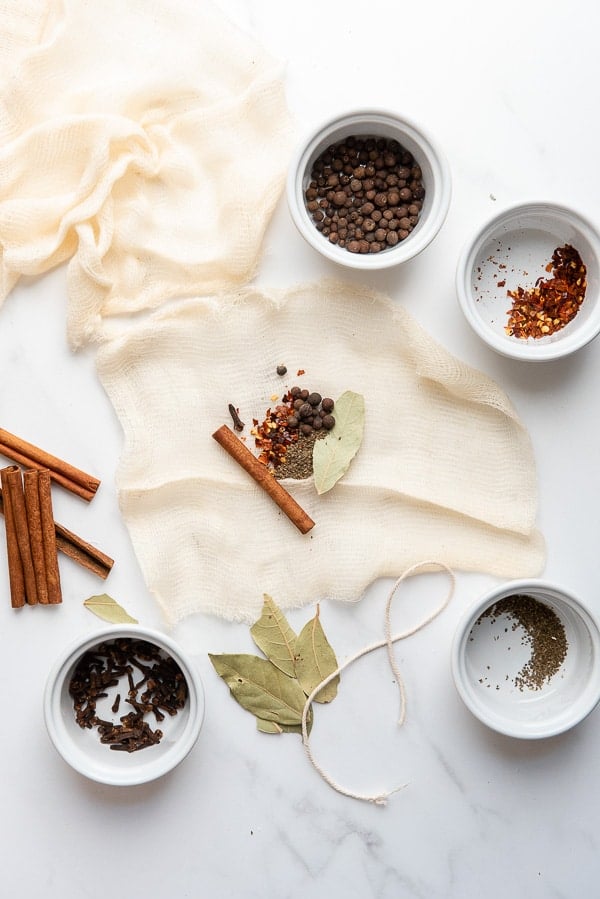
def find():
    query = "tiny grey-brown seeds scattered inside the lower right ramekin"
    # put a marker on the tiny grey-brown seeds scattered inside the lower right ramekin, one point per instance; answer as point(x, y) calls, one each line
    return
point(542, 630)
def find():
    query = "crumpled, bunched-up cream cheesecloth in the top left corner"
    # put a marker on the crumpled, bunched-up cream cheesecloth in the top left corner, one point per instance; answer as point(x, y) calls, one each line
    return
point(145, 141)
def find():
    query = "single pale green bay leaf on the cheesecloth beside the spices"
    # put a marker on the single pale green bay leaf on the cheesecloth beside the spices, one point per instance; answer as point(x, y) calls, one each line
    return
point(333, 454)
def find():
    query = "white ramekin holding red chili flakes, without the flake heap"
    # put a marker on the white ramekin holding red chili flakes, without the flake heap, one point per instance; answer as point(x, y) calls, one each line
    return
point(514, 247)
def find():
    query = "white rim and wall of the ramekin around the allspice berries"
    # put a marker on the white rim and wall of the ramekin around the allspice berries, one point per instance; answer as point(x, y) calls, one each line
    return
point(406, 249)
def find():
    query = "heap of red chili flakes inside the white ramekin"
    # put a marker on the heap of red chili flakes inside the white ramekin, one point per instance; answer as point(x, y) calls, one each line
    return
point(546, 308)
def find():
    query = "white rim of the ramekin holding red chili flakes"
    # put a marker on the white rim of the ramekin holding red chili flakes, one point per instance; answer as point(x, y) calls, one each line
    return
point(522, 351)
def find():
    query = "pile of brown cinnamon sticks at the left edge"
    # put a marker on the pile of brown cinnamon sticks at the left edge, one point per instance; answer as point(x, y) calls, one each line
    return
point(33, 538)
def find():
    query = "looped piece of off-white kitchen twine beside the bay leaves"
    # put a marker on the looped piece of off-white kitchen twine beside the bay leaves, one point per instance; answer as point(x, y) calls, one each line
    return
point(382, 798)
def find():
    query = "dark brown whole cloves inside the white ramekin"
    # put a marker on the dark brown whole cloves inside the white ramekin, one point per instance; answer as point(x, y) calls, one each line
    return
point(107, 666)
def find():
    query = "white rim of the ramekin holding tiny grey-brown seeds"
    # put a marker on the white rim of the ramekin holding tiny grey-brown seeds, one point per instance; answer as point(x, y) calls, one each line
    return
point(539, 586)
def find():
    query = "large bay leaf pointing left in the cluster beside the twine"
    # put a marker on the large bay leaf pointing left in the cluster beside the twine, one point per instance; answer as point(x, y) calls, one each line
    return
point(261, 688)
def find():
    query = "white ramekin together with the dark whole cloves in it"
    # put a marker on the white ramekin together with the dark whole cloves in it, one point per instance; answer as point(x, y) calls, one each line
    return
point(124, 706)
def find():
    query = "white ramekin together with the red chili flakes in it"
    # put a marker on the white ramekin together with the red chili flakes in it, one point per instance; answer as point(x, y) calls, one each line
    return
point(528, 282)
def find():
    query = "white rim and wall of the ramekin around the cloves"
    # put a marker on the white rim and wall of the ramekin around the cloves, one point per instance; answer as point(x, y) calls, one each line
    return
point(142, 773)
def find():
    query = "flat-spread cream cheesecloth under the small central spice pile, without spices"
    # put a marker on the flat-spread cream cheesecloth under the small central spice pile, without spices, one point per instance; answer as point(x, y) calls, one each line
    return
point(445, 469)
